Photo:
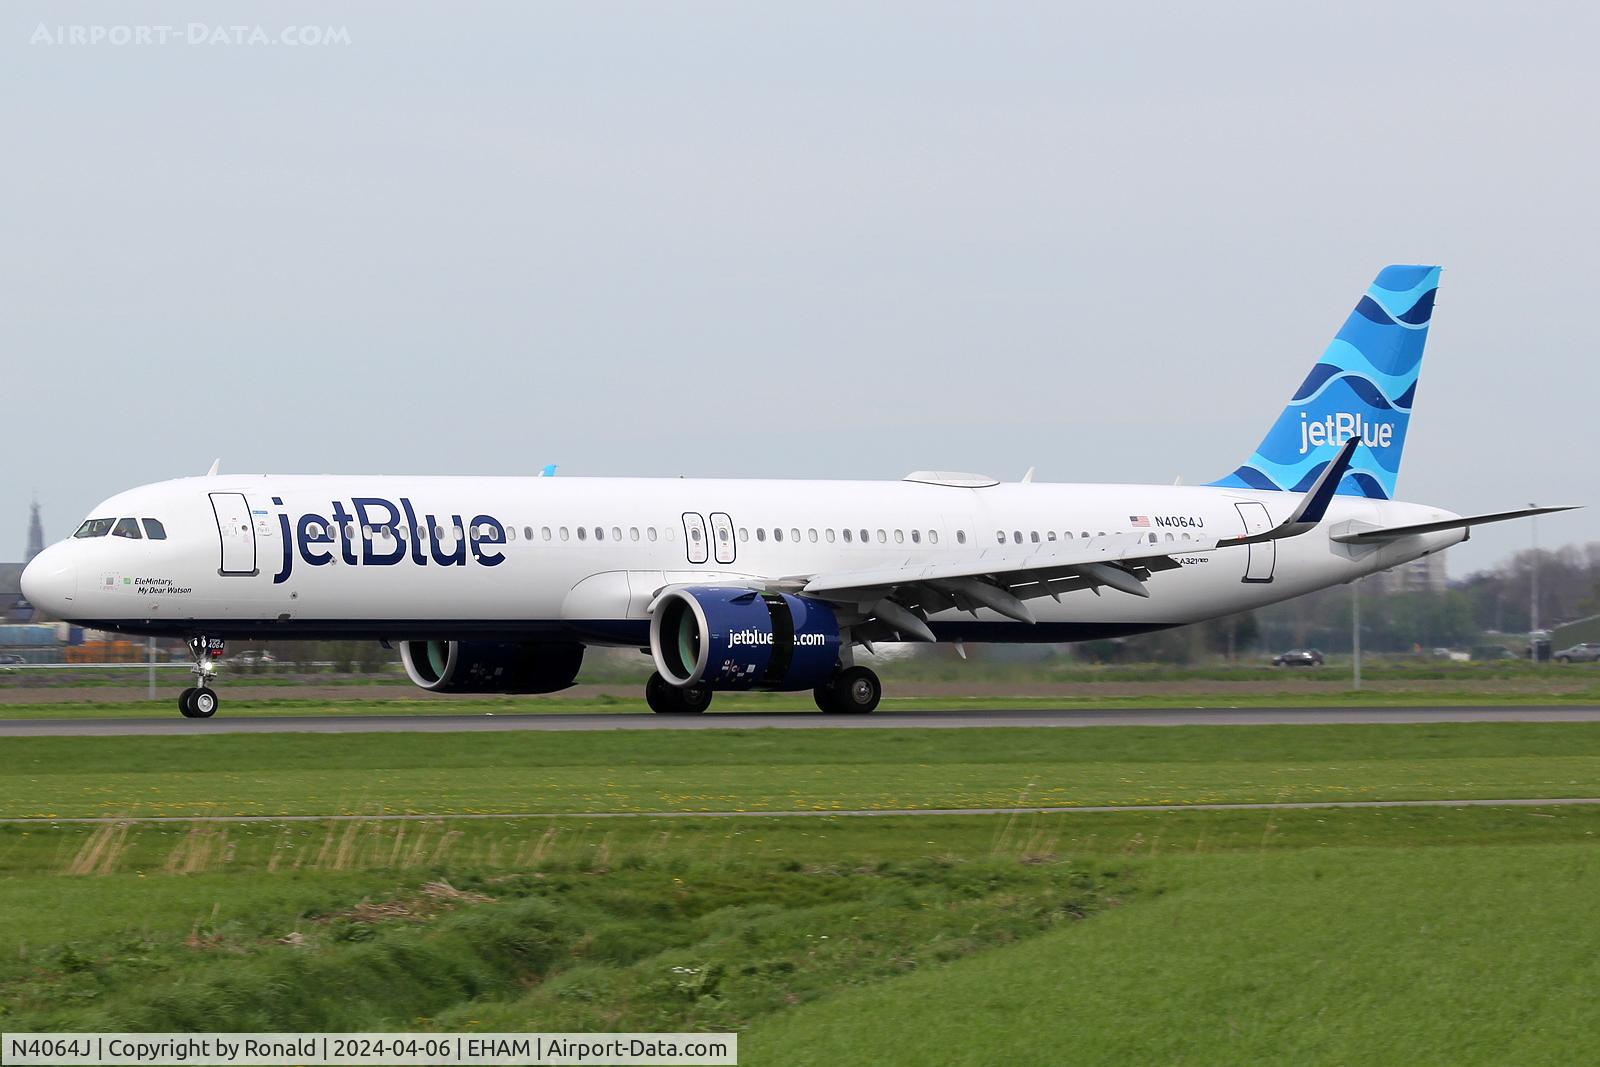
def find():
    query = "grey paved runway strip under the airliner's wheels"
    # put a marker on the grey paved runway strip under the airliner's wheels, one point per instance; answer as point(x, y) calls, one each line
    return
point(170, 725)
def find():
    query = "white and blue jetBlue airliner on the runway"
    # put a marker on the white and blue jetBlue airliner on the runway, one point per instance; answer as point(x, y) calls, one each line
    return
point(498, 585)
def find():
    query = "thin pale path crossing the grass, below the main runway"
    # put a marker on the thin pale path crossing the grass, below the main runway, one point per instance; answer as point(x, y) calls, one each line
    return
point(855, 813)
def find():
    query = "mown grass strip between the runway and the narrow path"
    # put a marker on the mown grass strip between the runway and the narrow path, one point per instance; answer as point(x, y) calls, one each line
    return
point(782, 770)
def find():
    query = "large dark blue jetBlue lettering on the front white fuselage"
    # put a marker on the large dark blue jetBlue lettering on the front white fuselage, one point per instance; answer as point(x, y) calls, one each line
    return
point(361, 530)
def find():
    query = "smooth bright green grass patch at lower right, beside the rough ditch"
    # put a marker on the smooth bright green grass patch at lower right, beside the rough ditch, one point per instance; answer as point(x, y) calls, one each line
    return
point(1350, 956)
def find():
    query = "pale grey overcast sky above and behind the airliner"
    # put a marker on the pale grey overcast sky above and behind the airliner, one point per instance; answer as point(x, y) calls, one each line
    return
point(812, 241)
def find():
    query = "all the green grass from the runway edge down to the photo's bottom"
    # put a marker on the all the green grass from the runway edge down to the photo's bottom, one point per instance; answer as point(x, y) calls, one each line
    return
point(1386, 937)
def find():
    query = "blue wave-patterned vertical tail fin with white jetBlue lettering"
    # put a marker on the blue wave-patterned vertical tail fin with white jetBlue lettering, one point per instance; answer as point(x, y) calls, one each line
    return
point(1362, 386)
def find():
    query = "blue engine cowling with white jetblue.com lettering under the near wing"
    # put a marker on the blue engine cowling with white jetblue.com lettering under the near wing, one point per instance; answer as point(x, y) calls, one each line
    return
point(738, 639)
